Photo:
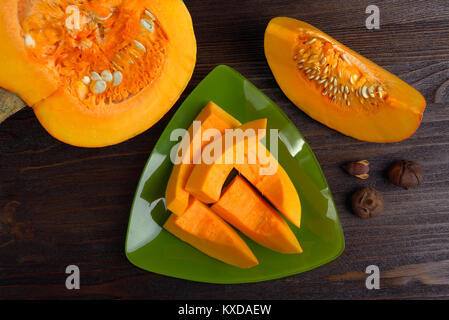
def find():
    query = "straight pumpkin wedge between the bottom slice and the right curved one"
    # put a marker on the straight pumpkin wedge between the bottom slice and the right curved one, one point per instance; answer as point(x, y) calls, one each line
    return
point(241, 206)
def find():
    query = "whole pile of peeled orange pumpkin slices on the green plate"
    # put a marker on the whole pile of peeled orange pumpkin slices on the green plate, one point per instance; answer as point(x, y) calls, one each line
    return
point(203, 209)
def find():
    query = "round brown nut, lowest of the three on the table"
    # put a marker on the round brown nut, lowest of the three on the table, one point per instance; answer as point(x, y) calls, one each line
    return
point(367, 203)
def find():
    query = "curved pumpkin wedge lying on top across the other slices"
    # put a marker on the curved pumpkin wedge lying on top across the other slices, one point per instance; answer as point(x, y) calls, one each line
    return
point(207, 178)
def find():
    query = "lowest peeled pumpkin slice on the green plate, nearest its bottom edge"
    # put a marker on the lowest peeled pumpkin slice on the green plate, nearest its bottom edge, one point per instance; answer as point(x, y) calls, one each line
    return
point(204, 230)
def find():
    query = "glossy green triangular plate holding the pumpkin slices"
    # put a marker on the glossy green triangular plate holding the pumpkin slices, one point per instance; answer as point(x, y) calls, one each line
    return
point(151, 248)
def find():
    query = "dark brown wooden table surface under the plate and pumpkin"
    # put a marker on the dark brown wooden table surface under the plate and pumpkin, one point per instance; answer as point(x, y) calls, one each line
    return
point(61, 205)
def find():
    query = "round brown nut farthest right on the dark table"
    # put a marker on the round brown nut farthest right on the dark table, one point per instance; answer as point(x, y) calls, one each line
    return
point(406, 174)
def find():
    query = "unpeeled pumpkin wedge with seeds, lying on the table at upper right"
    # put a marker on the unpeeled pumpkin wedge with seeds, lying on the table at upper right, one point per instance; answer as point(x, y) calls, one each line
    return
point(339, 87)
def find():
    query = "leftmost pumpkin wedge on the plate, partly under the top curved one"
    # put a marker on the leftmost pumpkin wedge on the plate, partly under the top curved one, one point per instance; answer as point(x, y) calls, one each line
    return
point(211, 117)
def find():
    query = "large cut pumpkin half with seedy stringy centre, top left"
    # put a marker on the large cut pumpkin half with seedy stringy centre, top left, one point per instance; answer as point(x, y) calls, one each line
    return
point(96, 72)
